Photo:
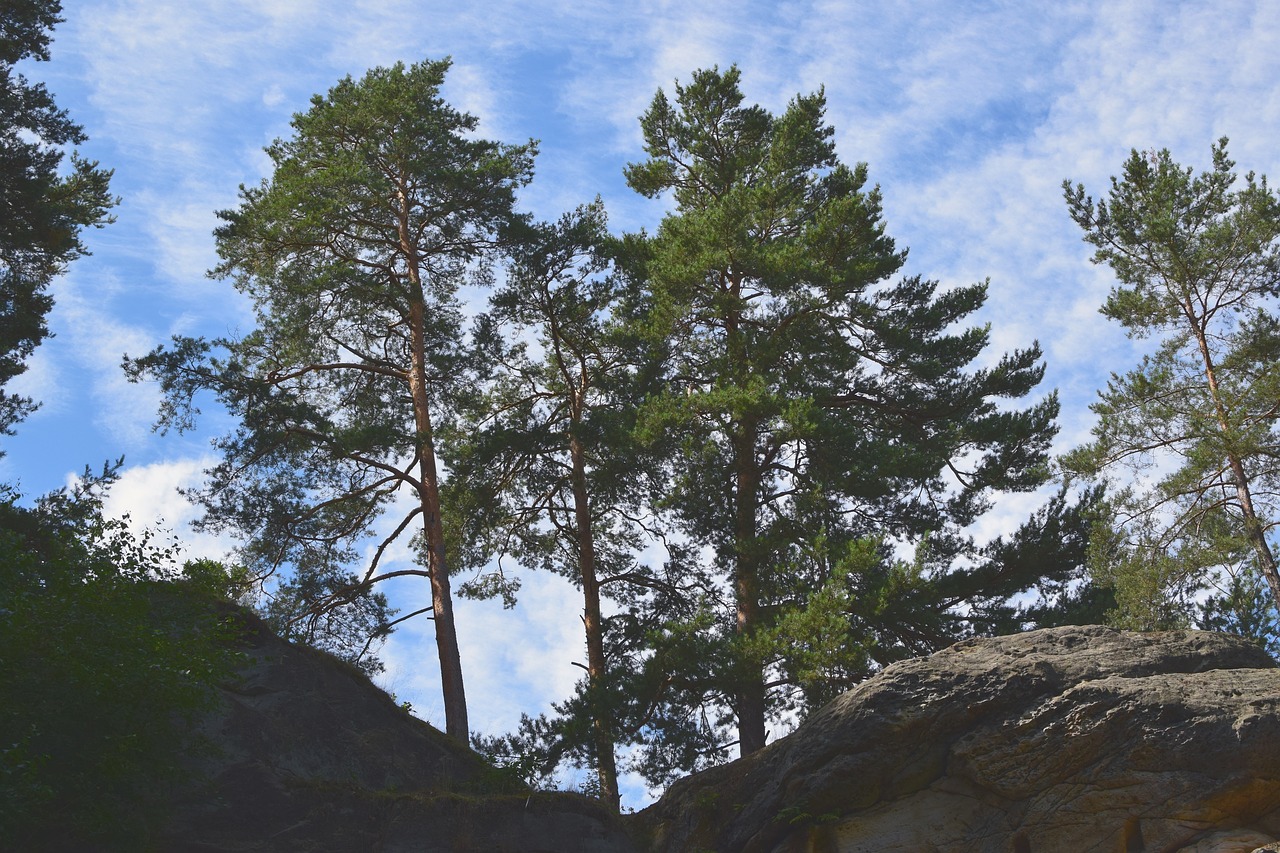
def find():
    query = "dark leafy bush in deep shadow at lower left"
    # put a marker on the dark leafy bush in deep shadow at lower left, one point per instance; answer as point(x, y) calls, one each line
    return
point(106, 660)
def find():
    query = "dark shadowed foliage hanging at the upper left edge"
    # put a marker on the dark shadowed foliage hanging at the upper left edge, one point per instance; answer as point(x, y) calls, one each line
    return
point(42, 212)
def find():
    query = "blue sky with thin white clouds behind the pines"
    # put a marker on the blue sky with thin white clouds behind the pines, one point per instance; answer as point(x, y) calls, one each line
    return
point(970, 116)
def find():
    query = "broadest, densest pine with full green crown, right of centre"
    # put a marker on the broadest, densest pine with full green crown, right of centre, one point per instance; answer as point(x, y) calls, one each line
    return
point(810, 418)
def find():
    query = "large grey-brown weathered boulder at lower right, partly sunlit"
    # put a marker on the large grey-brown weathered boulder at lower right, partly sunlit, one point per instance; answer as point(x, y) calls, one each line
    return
point(1066, 740)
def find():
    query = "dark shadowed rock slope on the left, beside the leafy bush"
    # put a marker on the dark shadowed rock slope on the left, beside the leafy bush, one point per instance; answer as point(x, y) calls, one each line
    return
point(309, 756)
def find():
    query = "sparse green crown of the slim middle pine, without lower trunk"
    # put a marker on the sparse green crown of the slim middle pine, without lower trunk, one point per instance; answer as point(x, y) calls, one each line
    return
point(559, 378)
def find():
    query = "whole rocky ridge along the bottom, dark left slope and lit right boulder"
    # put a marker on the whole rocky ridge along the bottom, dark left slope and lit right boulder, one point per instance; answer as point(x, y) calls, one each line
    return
point(1068, 740)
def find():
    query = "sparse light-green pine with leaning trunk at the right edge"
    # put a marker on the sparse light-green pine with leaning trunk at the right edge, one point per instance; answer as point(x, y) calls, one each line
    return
point(1187, 440)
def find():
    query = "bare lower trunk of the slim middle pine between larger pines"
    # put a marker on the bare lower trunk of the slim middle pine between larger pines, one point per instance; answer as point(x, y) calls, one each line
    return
point(606, 767)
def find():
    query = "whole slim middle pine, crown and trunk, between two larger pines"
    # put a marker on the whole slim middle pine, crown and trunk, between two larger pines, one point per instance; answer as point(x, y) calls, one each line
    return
point(547, 469)
